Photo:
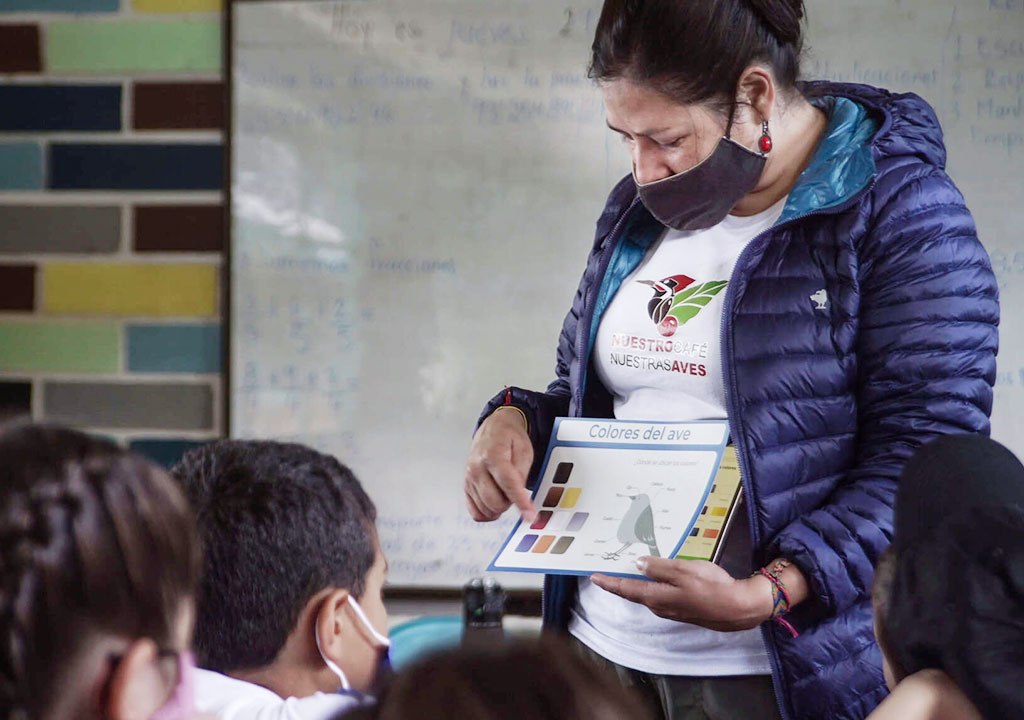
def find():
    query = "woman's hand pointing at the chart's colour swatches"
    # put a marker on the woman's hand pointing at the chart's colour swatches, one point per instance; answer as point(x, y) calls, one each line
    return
point(499, 464)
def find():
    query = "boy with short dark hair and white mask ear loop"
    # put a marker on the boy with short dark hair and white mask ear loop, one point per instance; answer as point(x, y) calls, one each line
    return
point(290, 620)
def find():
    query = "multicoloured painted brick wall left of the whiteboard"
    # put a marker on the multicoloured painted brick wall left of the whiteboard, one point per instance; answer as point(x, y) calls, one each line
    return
point(111, 235)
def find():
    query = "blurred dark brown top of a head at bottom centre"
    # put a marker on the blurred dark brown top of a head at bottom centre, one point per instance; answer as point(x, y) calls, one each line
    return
point(541, 681)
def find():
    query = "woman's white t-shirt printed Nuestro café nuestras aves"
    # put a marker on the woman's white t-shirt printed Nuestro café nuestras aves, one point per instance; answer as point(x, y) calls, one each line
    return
point(659, 351)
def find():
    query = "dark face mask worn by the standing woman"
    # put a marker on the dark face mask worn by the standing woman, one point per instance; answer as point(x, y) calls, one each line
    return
point(702, 197)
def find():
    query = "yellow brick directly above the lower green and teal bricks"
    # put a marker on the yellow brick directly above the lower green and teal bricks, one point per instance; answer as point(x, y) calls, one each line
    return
point(137, 289)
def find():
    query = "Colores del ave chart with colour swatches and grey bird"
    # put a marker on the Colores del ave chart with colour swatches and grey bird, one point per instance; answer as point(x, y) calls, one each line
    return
point(613, 492)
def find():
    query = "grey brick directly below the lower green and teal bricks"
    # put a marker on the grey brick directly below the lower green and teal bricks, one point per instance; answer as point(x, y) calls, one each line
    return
point(172, 407)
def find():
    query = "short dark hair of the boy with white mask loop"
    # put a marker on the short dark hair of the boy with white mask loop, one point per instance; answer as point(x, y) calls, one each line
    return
point(279, 523)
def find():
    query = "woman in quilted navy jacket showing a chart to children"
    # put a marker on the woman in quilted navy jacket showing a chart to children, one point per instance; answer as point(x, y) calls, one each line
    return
point(847, 315)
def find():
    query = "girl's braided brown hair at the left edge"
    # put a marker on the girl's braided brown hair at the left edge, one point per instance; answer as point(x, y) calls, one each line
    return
point(94, 541)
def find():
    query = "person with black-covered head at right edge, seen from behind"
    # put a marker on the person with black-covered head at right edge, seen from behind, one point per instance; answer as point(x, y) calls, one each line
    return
point(949, 596)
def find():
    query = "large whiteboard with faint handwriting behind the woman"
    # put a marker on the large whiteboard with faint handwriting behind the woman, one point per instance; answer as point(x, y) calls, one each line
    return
point(414, 190)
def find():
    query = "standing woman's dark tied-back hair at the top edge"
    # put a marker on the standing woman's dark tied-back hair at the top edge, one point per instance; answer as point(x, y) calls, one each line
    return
point(696, 51)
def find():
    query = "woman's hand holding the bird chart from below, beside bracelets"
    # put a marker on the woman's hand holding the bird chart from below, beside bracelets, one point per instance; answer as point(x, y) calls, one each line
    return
point(696, 591)
